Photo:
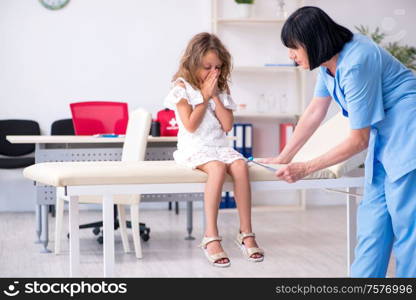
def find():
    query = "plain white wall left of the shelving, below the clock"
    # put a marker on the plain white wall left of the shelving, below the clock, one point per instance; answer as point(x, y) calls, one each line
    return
point(91, 50)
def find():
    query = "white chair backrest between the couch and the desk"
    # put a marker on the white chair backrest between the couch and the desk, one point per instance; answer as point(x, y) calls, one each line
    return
point(135, 142)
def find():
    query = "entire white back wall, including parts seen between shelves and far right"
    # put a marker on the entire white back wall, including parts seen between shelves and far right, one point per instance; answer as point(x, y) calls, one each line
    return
point(127, 50)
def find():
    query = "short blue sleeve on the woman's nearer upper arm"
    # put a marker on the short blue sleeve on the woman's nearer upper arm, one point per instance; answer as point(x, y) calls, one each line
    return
point(363, 95)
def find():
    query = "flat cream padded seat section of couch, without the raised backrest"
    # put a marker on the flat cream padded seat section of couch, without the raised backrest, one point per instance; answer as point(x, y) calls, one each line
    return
point(117, 172)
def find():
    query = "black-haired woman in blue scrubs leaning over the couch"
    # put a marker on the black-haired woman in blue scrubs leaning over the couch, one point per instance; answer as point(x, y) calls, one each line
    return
point(378, 96)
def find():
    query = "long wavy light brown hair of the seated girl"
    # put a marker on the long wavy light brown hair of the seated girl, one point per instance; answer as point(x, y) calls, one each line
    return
point(191, 60)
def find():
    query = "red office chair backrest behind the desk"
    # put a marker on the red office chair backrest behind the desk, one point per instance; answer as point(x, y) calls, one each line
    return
point(98, 117)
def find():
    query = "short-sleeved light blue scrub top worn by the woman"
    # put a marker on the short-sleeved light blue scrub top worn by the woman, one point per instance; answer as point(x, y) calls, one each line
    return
point(375, 90)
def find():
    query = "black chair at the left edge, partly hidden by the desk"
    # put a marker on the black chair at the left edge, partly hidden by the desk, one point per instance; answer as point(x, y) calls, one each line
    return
point(17, 127)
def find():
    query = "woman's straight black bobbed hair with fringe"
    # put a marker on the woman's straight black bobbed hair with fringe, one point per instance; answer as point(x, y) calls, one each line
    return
point(311, 28)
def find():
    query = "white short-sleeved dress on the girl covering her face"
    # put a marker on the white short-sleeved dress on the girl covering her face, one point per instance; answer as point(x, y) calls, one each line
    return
point(209, 141)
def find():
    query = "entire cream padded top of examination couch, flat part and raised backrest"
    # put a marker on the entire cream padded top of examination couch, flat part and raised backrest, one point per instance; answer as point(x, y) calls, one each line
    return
point(330, 134)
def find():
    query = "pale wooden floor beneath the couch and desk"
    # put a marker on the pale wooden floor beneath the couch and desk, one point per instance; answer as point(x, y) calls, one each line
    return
point(309, 243)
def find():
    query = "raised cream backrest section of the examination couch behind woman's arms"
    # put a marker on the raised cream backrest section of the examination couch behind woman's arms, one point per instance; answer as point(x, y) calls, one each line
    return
point(327, 136)
